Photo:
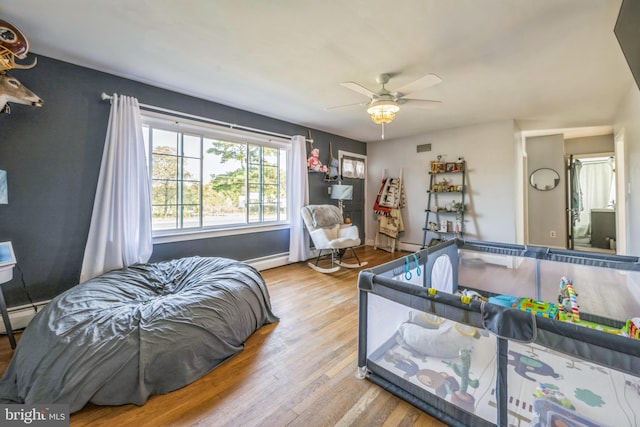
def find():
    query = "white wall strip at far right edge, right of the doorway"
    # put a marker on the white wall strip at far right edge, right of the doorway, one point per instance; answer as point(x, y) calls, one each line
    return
point(628, 118)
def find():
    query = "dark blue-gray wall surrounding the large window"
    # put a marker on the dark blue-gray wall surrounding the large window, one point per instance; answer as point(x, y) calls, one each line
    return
point(52, 156)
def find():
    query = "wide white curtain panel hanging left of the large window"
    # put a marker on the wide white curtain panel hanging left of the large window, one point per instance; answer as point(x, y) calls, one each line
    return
point(120, 230)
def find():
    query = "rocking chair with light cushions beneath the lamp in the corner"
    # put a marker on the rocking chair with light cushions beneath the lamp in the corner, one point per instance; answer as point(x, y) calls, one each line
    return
point(329, 233)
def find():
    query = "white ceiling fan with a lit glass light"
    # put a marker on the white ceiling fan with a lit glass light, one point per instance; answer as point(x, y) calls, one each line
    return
point(384, 104)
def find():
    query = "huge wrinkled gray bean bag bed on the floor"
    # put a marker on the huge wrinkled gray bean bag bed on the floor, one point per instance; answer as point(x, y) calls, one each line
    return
point(128, 334)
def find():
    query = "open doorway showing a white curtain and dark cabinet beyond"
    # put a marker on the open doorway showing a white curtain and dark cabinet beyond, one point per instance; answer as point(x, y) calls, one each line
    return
point(591, 201)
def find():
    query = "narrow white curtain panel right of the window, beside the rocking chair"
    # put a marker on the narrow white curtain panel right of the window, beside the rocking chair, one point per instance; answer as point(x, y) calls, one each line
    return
point(297, 199)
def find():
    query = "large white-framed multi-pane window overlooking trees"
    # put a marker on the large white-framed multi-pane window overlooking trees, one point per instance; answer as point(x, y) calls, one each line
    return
point(207, 178)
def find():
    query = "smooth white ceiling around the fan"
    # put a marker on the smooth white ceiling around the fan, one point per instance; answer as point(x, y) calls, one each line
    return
point(531, 60)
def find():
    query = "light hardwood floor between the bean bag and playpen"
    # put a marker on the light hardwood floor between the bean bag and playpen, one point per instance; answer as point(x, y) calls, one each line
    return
point(299, 371)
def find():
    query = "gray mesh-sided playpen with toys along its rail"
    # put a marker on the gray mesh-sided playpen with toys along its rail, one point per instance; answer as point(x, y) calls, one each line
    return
point(482, 334)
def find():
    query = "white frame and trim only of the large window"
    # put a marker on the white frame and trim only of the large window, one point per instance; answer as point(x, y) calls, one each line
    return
point(204, 129)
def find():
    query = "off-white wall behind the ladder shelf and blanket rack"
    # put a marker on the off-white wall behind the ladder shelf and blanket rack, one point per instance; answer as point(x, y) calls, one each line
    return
point(489, 150)
